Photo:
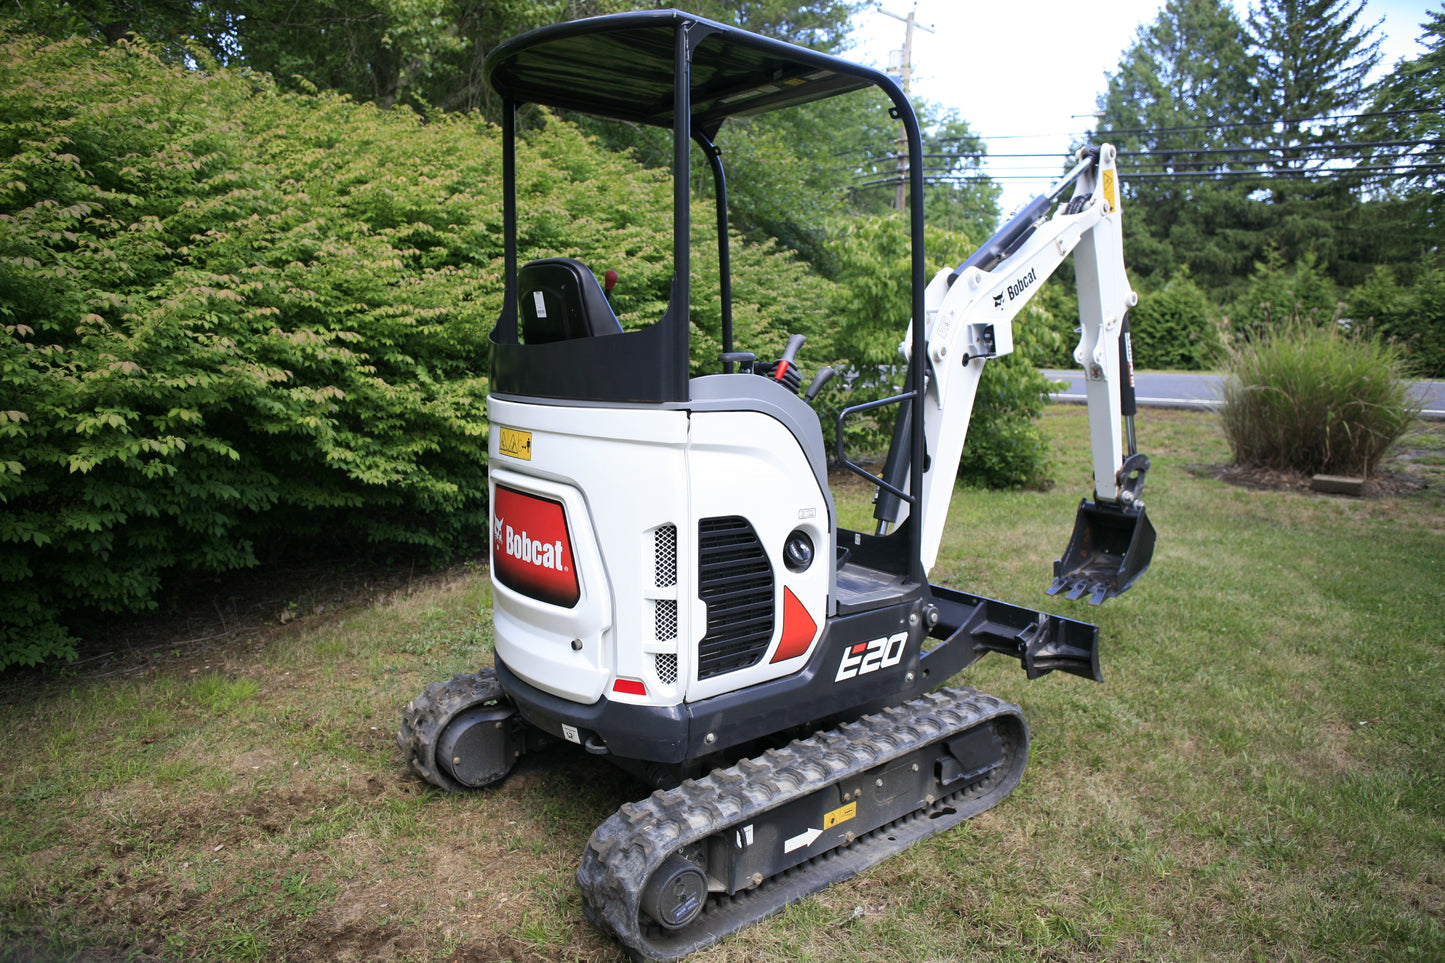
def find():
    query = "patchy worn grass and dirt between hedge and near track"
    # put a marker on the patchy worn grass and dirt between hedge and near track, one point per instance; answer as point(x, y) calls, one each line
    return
point(278, 821)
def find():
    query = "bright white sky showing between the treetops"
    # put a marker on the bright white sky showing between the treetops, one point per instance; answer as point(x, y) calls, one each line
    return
point(1027, 76)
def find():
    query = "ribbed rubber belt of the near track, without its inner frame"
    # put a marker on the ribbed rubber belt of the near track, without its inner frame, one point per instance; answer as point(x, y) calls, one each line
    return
point(628, 848)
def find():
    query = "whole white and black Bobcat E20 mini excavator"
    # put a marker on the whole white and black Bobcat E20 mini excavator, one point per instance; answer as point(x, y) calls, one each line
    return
point(673, 589)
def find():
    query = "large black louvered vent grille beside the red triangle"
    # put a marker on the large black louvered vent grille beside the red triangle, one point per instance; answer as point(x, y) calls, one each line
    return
point(736, 582)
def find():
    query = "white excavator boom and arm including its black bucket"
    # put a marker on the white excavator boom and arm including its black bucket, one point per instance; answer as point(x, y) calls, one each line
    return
point(970, 316)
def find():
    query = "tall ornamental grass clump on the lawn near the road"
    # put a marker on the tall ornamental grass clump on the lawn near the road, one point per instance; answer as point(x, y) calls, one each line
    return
point(1316, 400)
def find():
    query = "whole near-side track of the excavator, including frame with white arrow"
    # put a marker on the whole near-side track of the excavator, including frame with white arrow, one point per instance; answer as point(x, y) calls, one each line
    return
point(683, 835)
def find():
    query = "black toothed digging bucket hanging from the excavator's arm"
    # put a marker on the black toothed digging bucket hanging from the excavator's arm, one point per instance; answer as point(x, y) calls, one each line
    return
point(1110, 549)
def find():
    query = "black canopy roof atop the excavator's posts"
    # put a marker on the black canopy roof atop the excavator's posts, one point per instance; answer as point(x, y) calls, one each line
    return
point(622, 67)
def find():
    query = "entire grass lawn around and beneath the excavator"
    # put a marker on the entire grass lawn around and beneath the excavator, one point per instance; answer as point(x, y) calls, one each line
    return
point(1259, 779)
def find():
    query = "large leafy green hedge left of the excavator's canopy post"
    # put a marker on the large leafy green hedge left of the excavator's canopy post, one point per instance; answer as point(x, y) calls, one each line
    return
point(233, 320)
